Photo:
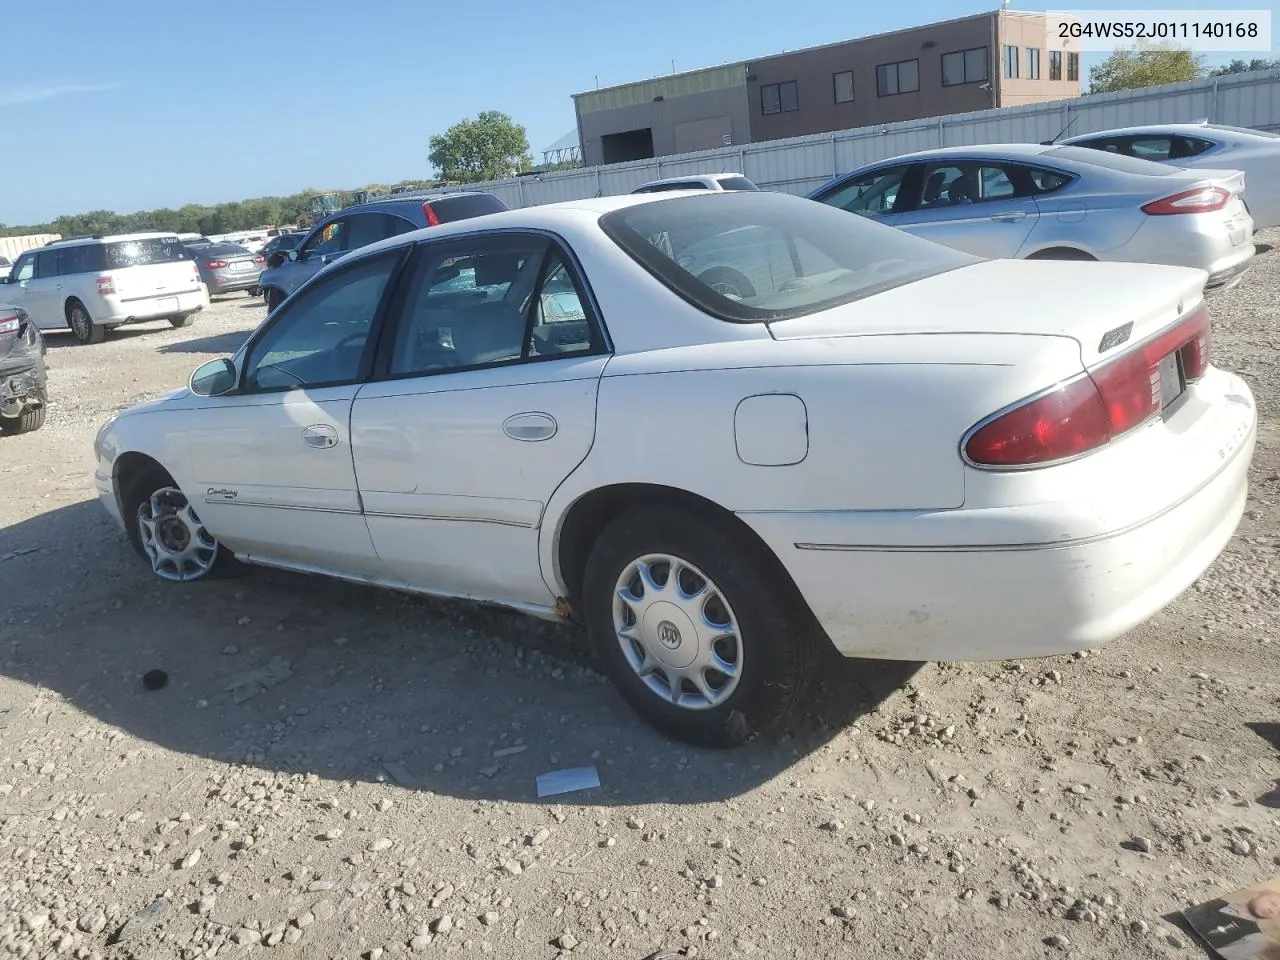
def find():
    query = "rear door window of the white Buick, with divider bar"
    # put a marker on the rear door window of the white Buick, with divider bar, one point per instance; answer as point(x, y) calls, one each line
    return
point(487, 303)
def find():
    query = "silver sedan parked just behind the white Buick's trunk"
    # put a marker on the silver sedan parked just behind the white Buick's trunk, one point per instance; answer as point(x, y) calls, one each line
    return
point(1044, 202)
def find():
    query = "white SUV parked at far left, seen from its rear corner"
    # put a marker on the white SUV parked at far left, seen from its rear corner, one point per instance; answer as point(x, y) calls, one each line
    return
point(92, 285)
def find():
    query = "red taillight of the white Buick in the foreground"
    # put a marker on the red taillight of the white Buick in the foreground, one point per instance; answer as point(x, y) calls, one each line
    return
point(1091, 412)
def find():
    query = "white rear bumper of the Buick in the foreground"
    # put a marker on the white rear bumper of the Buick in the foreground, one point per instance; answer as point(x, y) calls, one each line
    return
point(980, 584)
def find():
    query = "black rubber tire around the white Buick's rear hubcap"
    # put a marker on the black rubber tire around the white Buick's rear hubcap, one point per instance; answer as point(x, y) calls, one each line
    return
point(776, 632)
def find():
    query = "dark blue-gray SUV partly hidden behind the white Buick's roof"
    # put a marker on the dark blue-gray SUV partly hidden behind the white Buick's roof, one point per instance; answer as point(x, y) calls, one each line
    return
point(358, 227)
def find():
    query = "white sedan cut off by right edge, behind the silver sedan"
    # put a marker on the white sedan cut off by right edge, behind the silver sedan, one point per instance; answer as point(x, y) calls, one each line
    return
point(1205, 145)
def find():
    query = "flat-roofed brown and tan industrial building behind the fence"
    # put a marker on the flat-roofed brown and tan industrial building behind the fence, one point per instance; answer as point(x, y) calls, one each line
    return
point(972, 63)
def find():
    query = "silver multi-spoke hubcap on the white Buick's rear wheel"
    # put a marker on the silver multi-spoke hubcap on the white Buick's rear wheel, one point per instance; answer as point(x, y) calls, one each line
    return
point(678, 632)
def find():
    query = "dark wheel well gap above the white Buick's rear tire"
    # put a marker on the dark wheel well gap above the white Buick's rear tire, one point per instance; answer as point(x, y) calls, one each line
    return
point(588, 518)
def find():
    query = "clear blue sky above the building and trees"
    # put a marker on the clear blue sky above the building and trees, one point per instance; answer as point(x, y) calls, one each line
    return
point(159, 104)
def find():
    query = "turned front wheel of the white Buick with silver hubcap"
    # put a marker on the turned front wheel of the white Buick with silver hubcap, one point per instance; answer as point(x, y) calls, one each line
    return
point(170, 534)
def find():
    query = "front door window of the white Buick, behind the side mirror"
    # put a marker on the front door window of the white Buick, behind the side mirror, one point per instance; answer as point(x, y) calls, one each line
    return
point(321, 337)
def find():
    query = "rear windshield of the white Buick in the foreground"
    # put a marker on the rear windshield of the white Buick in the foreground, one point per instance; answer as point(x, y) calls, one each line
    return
point(757, 257)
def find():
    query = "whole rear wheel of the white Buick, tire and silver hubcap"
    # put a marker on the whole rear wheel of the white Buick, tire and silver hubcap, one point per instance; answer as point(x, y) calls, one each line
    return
point(706, 638)
